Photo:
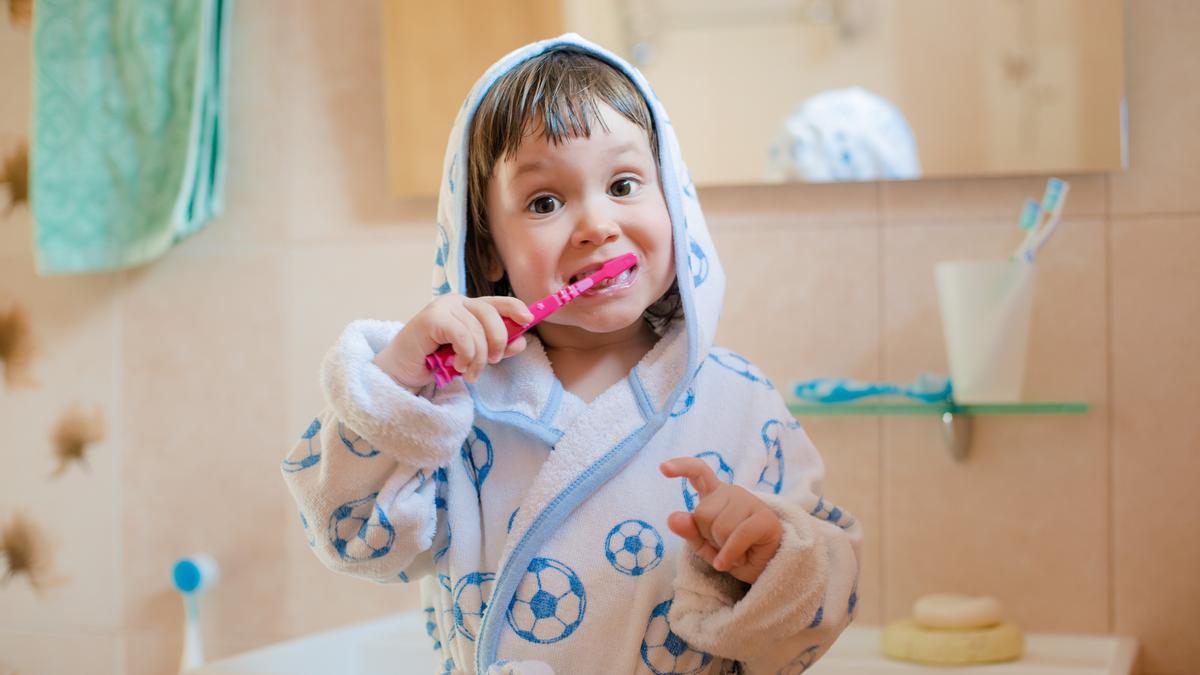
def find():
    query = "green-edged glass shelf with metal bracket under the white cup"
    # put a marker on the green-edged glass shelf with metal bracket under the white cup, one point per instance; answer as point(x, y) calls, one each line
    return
point(956, 417)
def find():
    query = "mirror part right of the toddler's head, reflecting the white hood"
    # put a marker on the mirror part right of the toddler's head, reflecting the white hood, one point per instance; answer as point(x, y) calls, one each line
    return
point(818, 91)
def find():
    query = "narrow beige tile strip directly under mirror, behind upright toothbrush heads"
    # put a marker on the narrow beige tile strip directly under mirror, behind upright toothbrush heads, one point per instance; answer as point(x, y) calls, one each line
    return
point(986, 199)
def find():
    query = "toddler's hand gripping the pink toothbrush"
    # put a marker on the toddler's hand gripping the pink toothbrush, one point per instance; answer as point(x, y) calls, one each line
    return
point(473, 326)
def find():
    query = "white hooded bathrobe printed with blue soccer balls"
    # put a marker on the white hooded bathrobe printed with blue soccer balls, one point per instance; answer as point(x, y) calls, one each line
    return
point(536, 524)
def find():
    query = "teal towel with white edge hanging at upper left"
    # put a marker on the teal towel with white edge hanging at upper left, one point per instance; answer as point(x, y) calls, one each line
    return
point(129, 141)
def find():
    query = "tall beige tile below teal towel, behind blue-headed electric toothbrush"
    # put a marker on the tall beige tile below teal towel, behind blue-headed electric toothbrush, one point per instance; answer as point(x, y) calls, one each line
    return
point(205, 369)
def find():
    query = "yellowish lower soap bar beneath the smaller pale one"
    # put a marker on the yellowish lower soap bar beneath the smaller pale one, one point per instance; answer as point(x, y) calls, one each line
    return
point(908, 641)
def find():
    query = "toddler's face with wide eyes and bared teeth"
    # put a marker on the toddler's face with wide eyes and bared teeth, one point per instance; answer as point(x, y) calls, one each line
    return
point(557, 212)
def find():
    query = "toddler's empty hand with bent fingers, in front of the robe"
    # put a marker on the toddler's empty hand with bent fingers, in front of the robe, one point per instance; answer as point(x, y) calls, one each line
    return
point(730, 529)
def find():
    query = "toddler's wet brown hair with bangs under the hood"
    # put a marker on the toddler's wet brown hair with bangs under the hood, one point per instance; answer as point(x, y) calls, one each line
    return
point(559, 94)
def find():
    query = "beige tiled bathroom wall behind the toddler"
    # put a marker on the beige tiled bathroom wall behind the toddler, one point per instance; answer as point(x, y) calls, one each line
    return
point(205, 366)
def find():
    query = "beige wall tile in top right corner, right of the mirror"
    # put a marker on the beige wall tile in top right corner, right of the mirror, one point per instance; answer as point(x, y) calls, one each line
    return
point(1163, 85)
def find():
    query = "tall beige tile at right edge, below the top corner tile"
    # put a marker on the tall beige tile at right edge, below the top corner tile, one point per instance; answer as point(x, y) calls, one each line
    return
point(1156, 438)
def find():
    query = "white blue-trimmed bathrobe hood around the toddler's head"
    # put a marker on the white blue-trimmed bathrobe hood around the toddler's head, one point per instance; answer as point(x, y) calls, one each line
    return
point(699, 273)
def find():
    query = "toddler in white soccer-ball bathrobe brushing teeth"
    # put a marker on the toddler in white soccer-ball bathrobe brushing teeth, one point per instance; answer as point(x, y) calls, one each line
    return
point(610, 493)
